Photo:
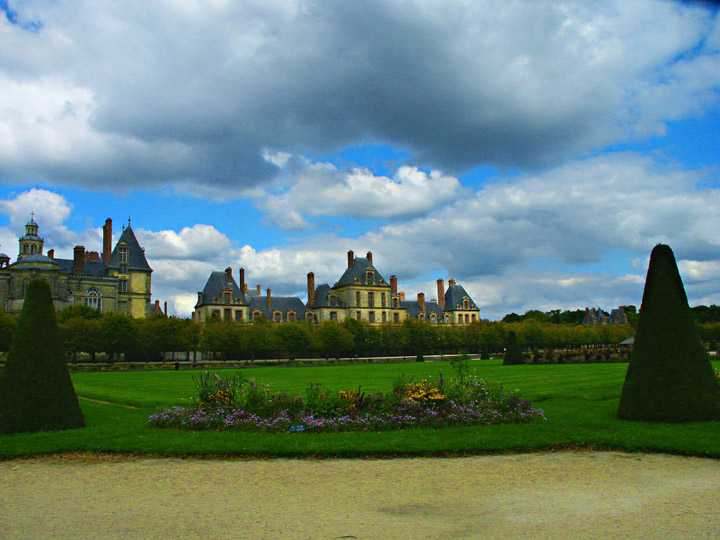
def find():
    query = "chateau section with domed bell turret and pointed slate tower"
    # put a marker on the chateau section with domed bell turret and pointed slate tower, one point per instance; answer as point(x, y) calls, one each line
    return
point(117, 280)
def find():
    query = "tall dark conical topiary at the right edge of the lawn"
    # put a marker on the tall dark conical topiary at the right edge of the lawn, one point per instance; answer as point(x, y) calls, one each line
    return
point(669, 377)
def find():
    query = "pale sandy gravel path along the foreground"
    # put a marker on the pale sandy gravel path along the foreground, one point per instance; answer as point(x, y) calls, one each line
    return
point(539, 496)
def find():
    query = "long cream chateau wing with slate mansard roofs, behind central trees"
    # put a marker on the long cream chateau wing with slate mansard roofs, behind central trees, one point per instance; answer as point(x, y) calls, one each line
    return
point(361, 293)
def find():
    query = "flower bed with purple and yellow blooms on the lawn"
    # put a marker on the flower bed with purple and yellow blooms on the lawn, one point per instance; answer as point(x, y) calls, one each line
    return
point(238, 405)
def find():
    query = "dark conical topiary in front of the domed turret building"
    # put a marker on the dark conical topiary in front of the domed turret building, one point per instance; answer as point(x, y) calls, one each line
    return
point(36, 392)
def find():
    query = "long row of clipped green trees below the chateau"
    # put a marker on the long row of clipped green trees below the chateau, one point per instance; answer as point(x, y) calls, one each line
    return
point(83, 330)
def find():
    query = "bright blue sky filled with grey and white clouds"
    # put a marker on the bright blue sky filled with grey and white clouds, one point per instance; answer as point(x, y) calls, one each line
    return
point(533, 150)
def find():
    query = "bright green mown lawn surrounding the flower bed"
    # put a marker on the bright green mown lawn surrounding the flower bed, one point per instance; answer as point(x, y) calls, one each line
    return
point(579, 400)
